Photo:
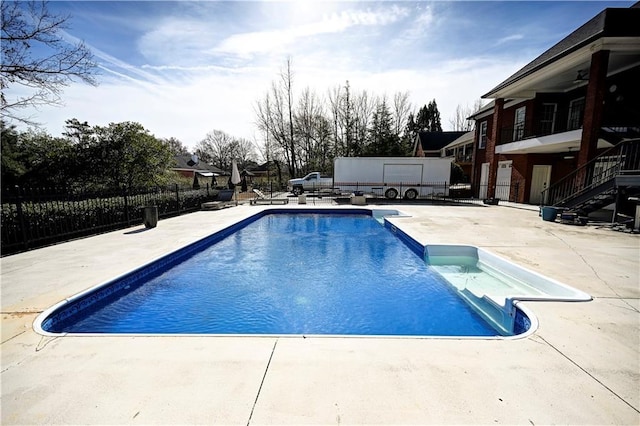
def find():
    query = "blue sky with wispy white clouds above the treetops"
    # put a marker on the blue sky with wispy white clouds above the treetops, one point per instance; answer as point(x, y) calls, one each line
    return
point(182, 69)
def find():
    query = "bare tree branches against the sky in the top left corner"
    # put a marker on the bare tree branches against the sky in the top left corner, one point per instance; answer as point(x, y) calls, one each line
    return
point(37, 58)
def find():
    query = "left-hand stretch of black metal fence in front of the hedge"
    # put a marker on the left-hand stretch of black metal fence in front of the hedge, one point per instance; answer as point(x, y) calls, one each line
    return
point(36, 217)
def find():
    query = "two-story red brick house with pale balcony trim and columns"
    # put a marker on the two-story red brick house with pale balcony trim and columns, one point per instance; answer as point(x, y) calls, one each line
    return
point(539, 140)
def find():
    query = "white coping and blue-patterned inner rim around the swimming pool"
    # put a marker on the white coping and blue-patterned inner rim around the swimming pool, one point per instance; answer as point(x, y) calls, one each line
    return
point(509, 306)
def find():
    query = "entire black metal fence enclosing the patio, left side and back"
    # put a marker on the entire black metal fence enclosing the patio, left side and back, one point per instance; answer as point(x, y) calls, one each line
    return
point(33, 218)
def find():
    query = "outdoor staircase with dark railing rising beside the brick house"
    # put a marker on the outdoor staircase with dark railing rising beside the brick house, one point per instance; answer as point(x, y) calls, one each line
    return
point(611, 177)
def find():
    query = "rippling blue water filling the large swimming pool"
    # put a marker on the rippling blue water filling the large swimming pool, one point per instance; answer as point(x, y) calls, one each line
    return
point(322, 274)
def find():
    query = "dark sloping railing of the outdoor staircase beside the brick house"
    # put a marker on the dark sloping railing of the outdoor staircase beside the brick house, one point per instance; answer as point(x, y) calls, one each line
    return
point(623, 158)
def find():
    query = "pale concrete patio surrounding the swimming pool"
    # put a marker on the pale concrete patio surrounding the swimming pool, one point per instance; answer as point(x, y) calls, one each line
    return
point(581, 366)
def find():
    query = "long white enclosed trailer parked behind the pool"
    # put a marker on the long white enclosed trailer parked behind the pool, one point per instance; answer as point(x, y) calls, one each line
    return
point(409, 177)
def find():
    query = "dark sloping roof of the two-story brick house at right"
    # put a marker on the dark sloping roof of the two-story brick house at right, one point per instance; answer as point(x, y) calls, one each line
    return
point(612, 22)
